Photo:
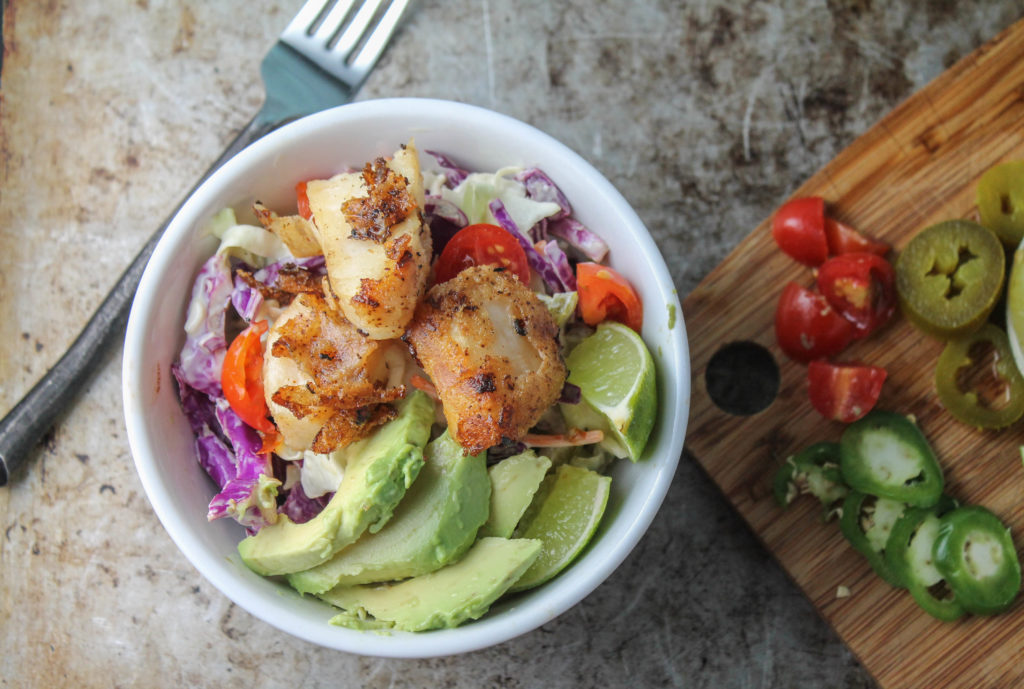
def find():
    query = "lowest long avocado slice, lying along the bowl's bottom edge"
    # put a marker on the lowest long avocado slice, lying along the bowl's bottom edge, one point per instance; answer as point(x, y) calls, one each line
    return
point(444, 598)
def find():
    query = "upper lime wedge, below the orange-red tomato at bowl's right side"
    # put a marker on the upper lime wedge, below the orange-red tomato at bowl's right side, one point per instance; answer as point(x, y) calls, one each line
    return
point(616, 375)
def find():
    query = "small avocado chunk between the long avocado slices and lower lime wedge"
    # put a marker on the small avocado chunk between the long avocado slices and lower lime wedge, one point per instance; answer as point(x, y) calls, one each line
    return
point(515, 482)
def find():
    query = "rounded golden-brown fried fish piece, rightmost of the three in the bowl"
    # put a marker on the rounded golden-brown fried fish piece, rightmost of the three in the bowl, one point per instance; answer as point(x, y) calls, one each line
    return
point(491, 349)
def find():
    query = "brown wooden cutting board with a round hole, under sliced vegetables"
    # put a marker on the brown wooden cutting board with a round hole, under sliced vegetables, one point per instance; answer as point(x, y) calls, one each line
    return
point(918, 166)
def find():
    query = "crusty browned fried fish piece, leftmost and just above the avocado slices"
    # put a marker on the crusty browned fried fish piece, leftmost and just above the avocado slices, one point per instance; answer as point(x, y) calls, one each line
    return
point(327, 384)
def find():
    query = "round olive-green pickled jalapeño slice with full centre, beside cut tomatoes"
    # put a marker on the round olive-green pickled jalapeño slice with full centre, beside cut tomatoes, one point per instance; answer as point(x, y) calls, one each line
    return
point(950, 278)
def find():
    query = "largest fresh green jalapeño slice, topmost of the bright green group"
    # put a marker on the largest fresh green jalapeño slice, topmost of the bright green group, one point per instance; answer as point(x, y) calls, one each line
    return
point(886, 455)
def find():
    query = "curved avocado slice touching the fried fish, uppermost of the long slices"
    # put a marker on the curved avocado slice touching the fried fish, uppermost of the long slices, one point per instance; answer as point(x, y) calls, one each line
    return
point(380, 468)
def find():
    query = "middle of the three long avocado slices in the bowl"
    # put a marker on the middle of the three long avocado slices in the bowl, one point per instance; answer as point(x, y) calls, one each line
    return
point(436, 524)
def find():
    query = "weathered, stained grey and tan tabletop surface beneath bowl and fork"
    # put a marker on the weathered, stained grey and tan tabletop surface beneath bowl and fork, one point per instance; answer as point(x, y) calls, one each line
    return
point(704, 114)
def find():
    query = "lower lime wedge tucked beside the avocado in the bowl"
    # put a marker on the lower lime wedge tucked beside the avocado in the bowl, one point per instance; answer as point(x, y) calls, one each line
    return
point(565, 516)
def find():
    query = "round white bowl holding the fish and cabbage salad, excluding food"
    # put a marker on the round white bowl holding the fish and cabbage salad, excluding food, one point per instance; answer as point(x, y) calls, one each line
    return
point(320, 146)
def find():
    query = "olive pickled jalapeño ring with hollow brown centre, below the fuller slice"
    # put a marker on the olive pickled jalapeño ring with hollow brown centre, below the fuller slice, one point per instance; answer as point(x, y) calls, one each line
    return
point(977, 379)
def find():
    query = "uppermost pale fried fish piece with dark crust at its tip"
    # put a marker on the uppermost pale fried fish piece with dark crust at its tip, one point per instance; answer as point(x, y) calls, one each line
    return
point(375, 242)
